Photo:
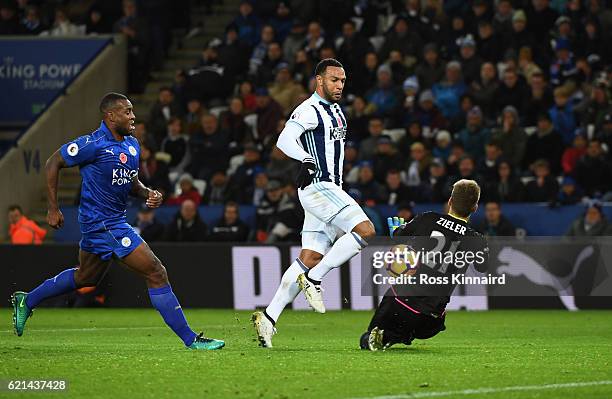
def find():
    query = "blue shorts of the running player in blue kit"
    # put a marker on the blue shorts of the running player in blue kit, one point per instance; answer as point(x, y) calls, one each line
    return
point(120, 239)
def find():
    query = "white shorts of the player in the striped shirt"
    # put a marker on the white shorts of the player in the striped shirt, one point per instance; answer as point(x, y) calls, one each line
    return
point(329, 212)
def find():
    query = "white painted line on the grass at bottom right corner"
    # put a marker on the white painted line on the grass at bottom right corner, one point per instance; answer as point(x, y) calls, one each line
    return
point(479, 391)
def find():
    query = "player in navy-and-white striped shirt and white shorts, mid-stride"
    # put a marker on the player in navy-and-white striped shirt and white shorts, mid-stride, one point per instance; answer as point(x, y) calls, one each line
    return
point(335, 227)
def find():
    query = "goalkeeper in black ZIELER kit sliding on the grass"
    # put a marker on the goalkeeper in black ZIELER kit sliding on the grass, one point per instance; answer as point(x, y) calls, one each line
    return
point(418, 311)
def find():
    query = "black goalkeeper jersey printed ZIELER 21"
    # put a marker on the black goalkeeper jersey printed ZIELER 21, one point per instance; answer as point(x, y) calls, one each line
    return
point(448, 246)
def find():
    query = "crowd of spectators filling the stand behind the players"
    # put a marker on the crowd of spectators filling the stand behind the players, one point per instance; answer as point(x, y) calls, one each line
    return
point(513, 94)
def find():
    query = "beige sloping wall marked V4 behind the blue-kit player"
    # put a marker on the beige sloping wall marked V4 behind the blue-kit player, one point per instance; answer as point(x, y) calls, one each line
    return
point(22, 174)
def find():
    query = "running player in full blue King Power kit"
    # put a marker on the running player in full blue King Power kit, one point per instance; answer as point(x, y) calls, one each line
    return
point(108, 160)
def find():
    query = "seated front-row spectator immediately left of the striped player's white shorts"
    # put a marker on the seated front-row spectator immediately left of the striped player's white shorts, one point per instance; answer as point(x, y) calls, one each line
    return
point(279, 216)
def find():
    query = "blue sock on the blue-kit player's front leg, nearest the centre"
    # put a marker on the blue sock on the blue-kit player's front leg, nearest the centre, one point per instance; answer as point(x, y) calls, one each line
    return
point(164, 300)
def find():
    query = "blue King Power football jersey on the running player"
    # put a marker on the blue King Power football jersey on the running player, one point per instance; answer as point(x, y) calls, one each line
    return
point(107, 167)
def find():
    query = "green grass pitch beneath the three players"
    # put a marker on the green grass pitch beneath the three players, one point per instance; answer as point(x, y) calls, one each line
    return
point(130, 354)
